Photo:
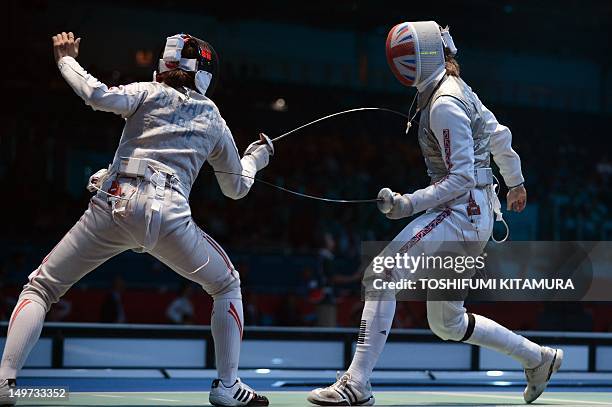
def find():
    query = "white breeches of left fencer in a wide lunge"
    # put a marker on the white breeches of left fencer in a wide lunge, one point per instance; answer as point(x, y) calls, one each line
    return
point(101, 234)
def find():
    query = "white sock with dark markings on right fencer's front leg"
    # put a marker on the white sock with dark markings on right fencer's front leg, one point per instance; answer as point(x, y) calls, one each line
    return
point(376, 321)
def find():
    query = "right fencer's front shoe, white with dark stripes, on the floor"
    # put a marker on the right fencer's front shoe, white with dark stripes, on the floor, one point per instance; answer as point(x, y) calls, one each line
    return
point(345, 392)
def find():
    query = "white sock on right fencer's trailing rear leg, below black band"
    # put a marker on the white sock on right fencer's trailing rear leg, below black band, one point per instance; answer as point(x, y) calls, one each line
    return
point(492, 335)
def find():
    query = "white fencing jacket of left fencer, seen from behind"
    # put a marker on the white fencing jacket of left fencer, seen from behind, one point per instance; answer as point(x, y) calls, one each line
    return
point(176, 132)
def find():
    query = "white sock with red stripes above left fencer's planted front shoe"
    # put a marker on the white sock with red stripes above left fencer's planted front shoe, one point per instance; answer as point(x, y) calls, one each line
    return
point(226, 325)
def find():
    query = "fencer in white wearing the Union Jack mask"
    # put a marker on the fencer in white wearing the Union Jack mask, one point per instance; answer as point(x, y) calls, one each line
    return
point(457, 135)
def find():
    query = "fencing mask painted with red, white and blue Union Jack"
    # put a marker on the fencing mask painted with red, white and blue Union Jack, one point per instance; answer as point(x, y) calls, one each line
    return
point(415, 51)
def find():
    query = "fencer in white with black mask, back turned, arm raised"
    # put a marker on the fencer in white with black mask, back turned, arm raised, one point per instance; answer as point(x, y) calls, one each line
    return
point(142, 202)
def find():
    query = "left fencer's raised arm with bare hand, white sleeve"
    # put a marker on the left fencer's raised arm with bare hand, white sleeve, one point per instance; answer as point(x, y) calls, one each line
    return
point(122, 100)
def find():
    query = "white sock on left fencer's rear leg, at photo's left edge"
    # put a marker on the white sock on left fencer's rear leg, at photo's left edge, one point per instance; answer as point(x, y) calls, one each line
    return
point(23, 333)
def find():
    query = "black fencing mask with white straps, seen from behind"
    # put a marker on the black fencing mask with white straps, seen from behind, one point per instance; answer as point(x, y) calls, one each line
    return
point(201, 59)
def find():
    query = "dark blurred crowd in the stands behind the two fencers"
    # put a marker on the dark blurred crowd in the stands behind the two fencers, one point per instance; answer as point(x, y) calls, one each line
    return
point(298, 258)
